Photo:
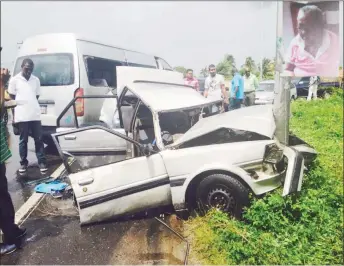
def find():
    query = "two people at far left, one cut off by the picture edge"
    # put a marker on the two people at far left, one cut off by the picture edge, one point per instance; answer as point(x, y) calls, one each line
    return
point(24, 88)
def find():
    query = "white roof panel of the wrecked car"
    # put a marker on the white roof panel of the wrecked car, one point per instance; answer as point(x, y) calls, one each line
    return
point(165, 97)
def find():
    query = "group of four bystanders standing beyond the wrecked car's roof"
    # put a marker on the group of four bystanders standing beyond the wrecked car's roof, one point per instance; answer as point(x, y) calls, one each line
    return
point(242, 90)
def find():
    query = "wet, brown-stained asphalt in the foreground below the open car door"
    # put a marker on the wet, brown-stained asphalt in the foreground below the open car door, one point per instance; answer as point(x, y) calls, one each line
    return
point(55, 237)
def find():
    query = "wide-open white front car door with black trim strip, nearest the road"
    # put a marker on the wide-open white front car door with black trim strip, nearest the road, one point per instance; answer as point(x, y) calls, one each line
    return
point(124, 185)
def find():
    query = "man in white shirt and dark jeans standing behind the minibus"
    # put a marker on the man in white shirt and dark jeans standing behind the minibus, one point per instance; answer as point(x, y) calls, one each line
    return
point(25, 87)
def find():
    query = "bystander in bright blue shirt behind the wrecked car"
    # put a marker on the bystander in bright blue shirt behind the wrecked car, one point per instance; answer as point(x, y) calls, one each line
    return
point(237, 91)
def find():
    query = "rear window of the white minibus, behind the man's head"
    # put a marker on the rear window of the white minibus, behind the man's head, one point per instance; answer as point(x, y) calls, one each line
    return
point(51, 69)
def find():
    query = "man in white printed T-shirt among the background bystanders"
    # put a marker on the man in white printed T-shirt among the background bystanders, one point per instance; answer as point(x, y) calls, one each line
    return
point(214, 87)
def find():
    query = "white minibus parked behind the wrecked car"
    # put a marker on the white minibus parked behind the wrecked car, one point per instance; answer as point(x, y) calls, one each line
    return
point(69, 66)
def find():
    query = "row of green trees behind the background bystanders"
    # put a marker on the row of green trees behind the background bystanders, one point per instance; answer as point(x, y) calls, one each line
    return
point(228, 63)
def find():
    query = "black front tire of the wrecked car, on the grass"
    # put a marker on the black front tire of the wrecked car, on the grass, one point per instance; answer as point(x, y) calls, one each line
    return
point(223, 192)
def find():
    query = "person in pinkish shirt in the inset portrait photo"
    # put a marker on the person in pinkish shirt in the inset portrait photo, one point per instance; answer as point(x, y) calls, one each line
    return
point(315, 50)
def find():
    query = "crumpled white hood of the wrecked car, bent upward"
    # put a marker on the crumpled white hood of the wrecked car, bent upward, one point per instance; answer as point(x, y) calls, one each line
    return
point(258, 119)
